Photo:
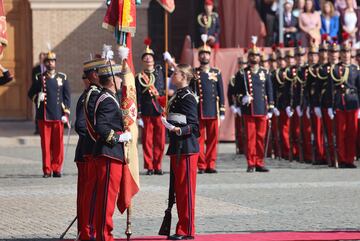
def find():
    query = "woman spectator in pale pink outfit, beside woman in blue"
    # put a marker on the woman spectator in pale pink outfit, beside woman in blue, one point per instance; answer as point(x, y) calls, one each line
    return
point(310, 24)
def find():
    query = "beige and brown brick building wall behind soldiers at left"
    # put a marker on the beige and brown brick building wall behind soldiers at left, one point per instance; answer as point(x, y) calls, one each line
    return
point(73, 28)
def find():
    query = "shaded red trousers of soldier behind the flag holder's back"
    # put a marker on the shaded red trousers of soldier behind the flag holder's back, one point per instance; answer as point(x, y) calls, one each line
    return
point(86, 193)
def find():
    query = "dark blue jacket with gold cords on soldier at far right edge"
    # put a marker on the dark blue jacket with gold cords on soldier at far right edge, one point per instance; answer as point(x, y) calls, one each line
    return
point(347, 92)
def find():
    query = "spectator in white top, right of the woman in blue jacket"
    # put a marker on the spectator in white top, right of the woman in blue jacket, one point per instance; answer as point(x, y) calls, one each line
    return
point(349, 21)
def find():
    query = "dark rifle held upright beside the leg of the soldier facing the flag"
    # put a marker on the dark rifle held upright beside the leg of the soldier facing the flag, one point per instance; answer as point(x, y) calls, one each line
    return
point(166, 224)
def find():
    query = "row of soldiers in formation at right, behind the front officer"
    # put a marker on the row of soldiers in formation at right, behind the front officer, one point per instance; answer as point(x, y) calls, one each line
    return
point(316, 104)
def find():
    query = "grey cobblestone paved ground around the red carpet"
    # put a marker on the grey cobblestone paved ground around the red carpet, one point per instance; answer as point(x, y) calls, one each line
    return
point(292, 196)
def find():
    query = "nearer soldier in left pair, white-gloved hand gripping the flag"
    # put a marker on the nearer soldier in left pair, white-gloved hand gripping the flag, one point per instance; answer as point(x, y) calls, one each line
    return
point(108, 150)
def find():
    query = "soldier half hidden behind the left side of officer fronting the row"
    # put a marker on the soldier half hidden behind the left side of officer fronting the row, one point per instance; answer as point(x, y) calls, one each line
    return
point(239, 128)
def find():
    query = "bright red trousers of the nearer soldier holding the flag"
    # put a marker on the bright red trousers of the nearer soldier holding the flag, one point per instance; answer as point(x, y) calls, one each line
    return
point(108, 174)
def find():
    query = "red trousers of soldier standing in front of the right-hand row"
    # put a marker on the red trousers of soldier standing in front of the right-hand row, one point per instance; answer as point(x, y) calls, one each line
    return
point(255, 127)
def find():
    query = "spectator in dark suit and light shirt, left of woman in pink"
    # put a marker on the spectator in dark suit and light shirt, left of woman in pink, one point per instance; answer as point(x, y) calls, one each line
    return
point(290, 24)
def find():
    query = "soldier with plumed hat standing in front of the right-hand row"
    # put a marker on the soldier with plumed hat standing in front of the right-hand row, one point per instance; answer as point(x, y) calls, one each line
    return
point(255, 96)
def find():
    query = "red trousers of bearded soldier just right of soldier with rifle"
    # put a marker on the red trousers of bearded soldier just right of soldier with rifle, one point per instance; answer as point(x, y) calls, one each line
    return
point(209, 131)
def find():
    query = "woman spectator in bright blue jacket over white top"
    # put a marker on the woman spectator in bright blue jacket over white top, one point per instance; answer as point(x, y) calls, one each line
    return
point(329, 21)
